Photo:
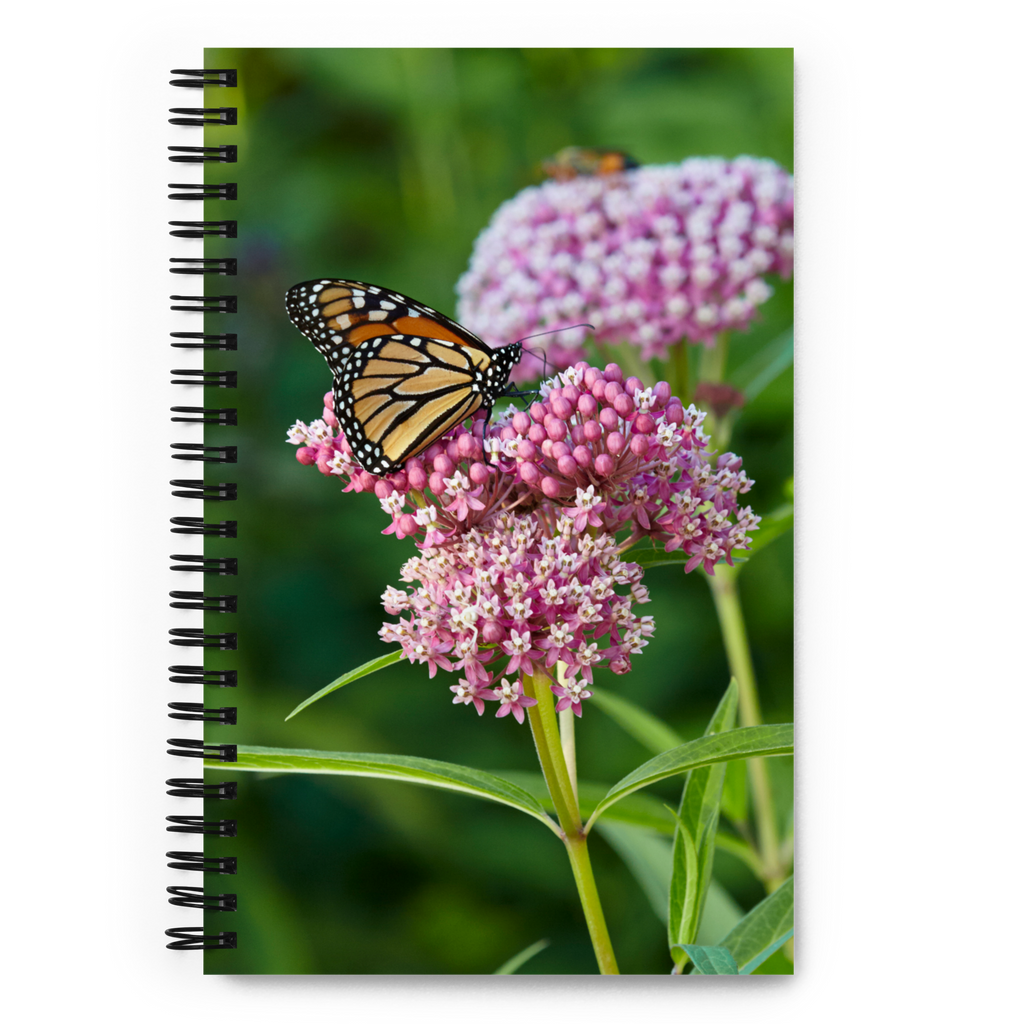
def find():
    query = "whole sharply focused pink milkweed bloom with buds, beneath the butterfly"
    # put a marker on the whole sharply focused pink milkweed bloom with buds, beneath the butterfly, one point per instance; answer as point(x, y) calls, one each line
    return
point(518, 526)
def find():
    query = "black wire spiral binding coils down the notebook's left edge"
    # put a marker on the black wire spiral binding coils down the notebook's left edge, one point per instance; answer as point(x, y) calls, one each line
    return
point(190, 829)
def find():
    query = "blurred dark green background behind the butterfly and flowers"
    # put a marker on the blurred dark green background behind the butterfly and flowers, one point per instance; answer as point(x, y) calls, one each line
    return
point(383, 165)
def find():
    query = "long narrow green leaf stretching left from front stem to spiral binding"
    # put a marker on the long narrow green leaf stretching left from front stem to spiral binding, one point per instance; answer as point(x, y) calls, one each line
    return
point(423, 772)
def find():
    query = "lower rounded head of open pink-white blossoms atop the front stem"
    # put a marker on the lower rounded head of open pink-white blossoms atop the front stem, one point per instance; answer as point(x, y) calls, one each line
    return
point(535, 590)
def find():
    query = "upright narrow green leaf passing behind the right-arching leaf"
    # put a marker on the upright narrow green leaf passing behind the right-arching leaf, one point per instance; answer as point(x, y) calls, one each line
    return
point(699, 812)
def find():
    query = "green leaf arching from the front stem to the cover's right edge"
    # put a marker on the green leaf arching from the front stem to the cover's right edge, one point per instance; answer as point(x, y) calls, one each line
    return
point(750, 742)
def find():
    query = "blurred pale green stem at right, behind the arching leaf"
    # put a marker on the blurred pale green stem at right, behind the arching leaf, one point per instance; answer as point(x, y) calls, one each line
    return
point(731, 618)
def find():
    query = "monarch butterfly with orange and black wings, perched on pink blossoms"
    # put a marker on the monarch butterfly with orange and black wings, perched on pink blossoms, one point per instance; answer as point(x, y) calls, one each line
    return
point(404, 374)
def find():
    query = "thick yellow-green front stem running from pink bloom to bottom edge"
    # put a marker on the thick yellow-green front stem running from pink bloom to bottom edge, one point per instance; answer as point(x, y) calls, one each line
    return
point(544, 723)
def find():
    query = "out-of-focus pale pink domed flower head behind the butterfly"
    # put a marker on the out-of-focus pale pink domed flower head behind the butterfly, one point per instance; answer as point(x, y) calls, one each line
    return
point(651, 257)
